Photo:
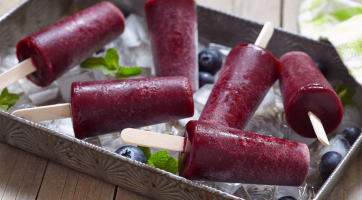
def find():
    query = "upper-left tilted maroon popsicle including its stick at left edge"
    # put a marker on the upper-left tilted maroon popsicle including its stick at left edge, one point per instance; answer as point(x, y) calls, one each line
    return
point(49, 53)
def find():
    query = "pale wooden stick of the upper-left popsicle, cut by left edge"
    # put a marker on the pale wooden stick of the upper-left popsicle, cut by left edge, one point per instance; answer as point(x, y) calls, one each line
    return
point(15, 73)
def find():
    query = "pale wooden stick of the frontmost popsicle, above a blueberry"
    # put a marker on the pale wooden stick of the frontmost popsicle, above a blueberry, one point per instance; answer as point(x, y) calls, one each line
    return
point(153, 140)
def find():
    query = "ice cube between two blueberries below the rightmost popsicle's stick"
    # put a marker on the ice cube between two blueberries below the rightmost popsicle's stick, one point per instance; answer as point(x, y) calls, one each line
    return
point(338, 144)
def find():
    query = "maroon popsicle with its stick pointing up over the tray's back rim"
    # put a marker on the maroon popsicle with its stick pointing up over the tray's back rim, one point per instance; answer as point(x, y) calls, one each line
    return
point(245, 78)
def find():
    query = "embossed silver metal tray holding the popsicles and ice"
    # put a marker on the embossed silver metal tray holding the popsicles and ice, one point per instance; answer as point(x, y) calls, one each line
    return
point(229, 30)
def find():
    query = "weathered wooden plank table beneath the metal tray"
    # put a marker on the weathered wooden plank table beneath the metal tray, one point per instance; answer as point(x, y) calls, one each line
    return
point(26, 176)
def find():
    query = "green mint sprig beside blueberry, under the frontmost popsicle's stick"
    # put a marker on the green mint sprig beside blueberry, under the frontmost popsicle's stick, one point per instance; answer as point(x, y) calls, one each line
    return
point(160, 160)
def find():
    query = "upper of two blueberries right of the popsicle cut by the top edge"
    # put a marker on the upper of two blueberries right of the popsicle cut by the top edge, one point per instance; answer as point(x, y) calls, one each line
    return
point(210, 61)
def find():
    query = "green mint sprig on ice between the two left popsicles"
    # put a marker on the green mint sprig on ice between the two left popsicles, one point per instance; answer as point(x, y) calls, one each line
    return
point(109, 65)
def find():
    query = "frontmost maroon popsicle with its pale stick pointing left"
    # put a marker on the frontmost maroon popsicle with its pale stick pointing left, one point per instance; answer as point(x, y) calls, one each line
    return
point(212, 152)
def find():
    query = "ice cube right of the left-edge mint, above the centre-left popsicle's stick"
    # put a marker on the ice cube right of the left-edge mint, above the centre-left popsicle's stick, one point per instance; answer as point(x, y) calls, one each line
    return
point(39, 95)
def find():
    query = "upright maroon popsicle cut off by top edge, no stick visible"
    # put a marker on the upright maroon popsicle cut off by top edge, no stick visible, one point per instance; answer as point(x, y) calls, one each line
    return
point(172, 26)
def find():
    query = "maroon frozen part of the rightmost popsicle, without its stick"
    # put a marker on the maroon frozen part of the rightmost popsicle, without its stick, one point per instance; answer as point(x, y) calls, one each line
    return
point(304, 90)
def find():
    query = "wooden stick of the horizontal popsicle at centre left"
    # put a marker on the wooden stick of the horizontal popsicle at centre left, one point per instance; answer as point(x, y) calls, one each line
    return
point(57, 111)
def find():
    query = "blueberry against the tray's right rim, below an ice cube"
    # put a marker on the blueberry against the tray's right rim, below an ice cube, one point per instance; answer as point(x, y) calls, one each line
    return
point(329, 162)
